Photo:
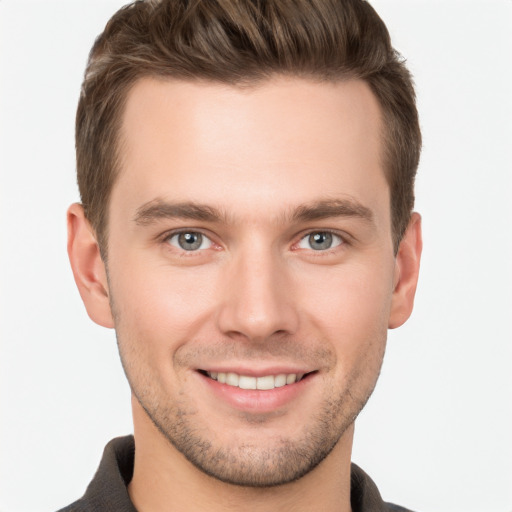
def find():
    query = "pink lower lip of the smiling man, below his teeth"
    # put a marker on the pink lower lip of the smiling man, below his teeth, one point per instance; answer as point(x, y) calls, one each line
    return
point(254, 400)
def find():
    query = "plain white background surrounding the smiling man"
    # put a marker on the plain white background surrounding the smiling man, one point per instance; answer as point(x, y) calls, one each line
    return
point(437, 434)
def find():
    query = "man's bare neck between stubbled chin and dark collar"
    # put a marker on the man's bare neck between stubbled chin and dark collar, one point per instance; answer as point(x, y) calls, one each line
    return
point(164, 480)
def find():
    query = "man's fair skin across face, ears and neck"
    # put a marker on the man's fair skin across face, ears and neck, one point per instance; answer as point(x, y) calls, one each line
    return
point(255, 172)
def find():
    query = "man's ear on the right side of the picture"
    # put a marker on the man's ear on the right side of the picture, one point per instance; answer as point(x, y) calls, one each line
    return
point(407, 266)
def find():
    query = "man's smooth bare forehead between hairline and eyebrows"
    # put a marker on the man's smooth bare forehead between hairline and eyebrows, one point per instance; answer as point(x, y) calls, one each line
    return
point(284, 142)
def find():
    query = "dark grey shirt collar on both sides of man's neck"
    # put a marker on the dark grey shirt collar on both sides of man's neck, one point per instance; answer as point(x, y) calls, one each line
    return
point(108, 490)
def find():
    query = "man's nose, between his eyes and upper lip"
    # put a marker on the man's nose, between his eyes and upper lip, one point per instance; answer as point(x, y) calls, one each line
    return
point(257, 298)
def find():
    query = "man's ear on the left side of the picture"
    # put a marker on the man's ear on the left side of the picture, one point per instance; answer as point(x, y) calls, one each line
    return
point(88, 267)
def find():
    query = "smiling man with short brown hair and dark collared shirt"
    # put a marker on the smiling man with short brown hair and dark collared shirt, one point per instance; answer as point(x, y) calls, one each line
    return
point(246, 172)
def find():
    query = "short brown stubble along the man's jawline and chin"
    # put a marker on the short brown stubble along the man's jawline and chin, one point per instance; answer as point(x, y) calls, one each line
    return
point(249, 463)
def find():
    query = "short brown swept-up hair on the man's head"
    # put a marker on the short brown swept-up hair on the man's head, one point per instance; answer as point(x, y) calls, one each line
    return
point(242, 42)
